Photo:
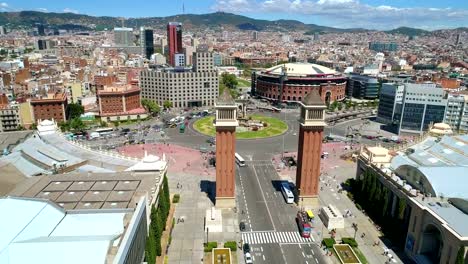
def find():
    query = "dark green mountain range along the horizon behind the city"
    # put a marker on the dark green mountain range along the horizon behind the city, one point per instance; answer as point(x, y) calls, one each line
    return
point(217, 21)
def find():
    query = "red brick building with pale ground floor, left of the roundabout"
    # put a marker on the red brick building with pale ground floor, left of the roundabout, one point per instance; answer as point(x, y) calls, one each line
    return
point(120, 103)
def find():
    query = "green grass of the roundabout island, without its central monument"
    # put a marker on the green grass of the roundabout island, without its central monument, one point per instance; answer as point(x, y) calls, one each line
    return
point(275, 127)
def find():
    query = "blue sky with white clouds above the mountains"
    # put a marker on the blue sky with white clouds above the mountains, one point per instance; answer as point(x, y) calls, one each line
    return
point(379, 14)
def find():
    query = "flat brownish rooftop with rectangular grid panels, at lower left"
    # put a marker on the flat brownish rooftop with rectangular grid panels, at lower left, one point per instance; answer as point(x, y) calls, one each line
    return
point(89, 190)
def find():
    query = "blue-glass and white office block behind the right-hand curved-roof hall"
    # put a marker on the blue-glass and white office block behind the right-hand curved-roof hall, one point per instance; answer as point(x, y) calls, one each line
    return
point(414, 108)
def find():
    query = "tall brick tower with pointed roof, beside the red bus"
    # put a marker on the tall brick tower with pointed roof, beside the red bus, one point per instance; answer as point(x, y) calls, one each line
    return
point(310, 149)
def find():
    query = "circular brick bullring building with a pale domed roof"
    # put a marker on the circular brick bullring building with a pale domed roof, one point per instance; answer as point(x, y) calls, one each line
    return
point(296, 80)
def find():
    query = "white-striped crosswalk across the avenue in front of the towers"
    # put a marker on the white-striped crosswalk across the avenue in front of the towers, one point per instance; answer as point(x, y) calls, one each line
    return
point(272, 237)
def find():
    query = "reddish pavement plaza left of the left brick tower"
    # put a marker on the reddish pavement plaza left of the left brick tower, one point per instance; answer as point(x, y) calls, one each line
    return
point(181, 159)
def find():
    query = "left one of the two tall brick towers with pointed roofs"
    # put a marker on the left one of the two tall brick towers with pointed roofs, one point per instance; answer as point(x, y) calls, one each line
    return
point(225, 123)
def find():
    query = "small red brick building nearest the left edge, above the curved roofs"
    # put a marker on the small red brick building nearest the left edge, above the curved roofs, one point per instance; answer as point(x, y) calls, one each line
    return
point(51, 107)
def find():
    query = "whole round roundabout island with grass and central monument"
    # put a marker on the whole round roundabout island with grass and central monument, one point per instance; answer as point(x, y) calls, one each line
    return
point(267, 127)
